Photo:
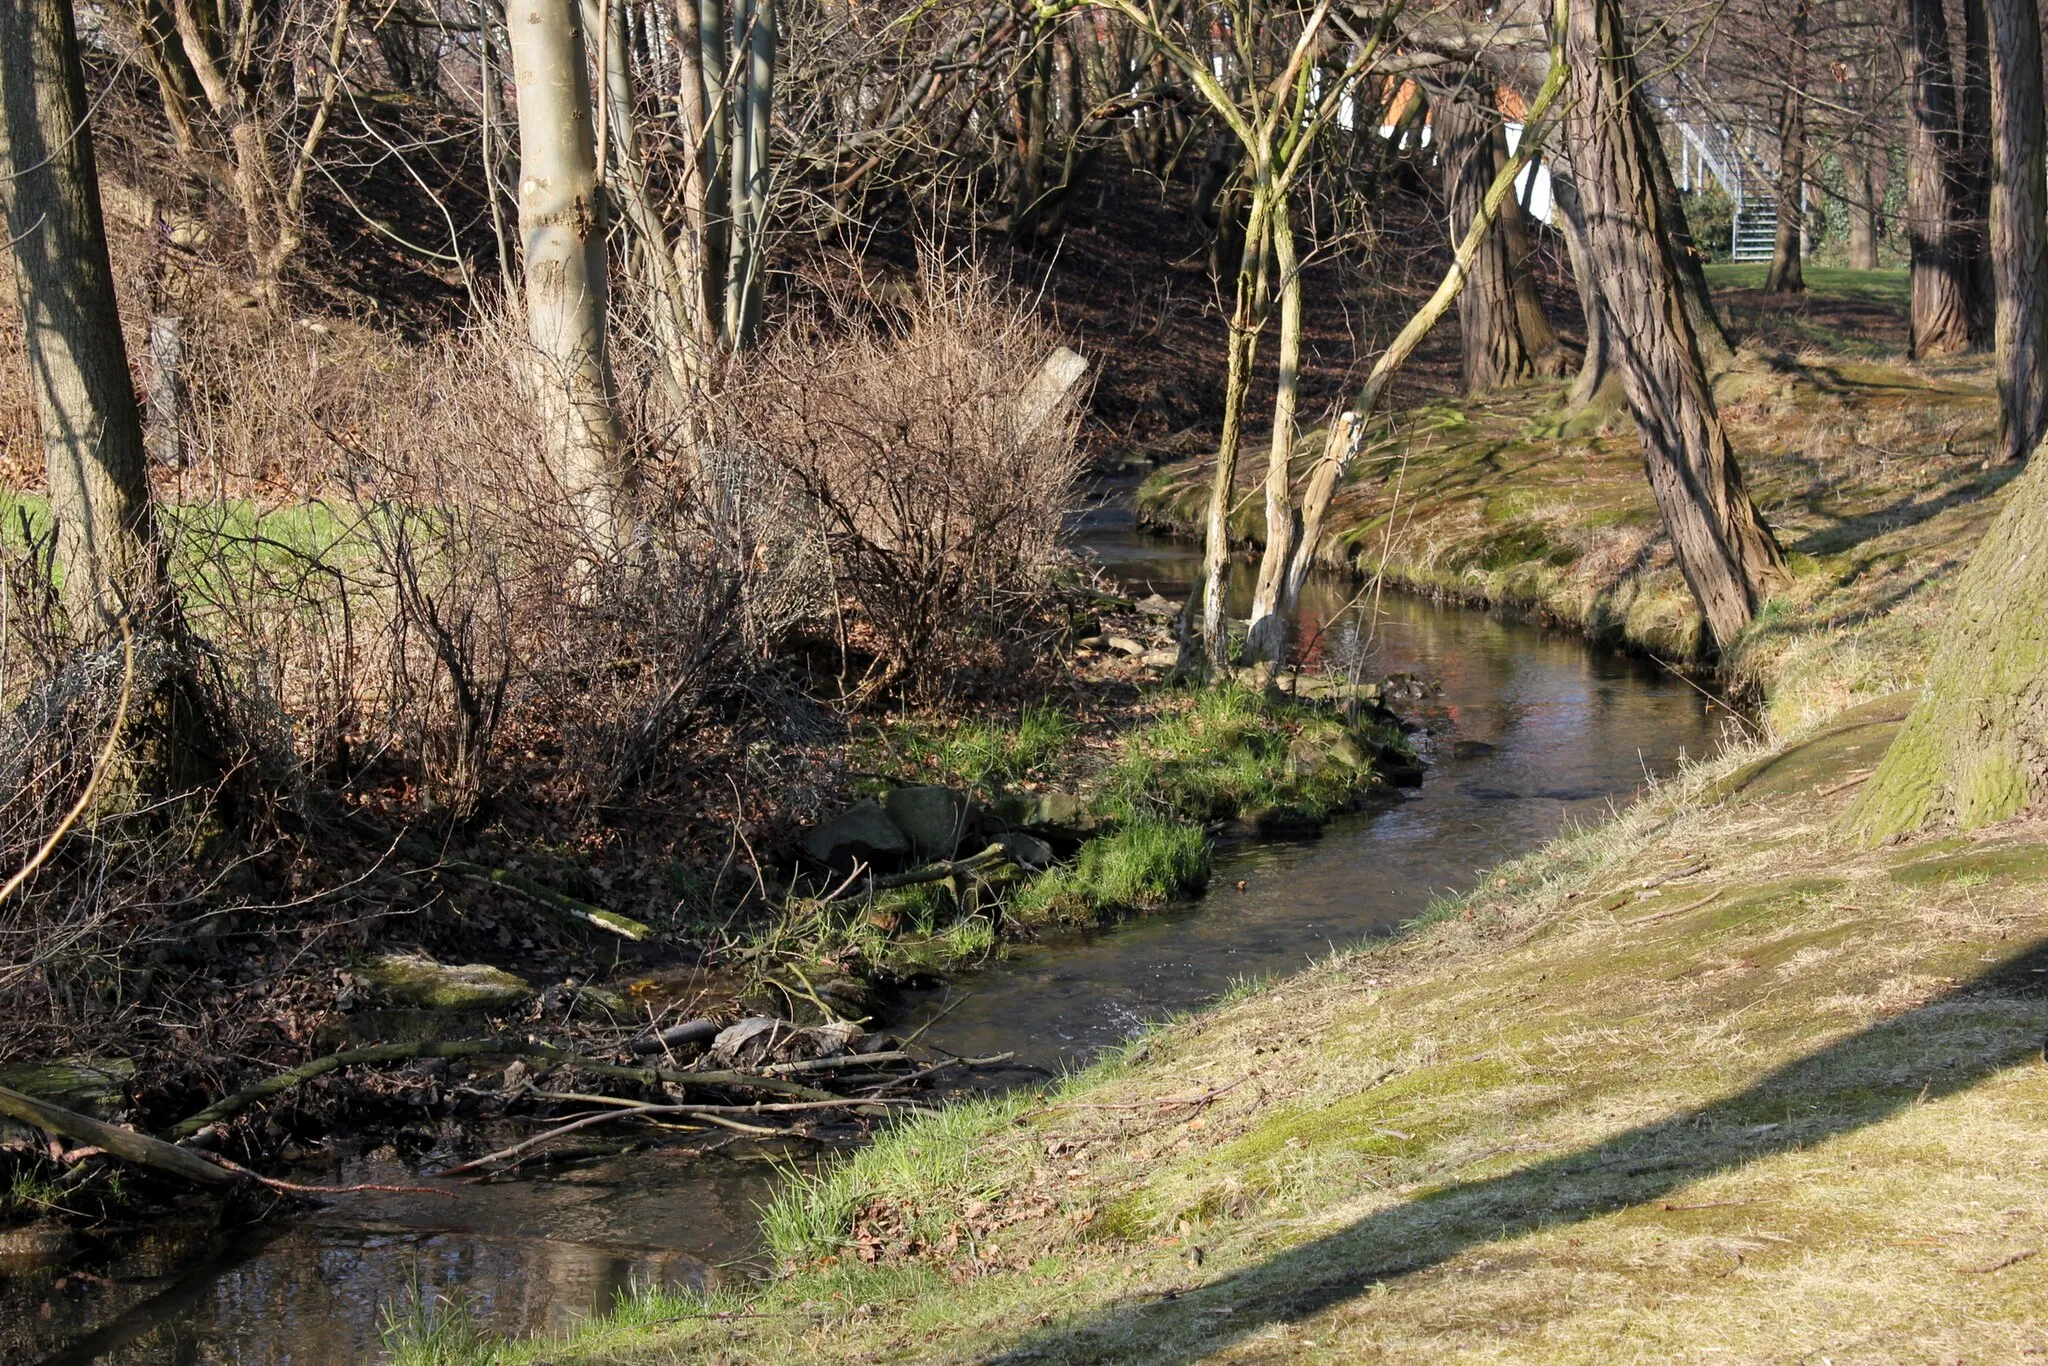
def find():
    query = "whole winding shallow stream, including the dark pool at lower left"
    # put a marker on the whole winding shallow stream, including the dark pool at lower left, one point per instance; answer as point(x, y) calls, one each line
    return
point(1529, 734)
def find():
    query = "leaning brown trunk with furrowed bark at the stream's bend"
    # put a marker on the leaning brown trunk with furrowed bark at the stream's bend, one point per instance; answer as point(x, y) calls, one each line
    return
point(1723, 548)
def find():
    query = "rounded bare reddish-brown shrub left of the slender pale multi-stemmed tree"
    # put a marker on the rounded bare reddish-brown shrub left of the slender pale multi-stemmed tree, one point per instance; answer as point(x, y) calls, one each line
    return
point(939, 501)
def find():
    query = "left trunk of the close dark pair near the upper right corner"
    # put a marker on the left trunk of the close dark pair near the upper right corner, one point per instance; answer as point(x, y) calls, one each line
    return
point(1940, 304)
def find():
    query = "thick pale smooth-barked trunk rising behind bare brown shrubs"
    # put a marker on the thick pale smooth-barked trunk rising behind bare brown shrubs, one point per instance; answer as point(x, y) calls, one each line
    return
point(562, 234)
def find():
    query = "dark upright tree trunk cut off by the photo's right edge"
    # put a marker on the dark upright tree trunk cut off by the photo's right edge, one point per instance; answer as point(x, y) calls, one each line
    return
point(2018, 226)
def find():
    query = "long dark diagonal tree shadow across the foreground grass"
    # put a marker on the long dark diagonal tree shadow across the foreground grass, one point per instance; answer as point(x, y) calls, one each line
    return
point(1852, 1084)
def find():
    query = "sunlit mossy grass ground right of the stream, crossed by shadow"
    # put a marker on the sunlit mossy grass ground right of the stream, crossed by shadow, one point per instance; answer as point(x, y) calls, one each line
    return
point(1699, 1084)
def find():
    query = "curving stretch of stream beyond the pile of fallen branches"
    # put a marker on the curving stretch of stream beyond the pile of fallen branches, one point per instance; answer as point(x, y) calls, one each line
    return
point(1529, 734)
